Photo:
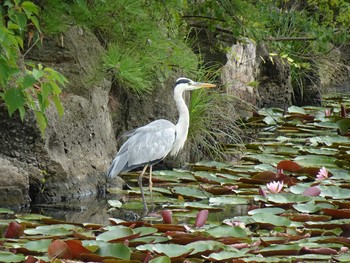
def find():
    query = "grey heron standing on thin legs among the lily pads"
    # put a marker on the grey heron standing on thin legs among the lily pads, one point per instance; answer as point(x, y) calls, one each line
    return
point(151, 143)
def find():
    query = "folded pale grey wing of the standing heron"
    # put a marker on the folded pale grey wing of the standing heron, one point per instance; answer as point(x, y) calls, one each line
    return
point(147, 144)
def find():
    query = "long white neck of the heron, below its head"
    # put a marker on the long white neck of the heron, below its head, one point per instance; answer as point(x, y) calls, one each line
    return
point(183, 122)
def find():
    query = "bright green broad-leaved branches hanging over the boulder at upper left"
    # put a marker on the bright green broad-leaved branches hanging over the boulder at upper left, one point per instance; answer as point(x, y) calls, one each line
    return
point(25, 85)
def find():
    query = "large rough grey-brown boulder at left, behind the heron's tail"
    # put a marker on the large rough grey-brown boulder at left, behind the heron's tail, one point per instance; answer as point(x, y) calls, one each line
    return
point(76, 150)
